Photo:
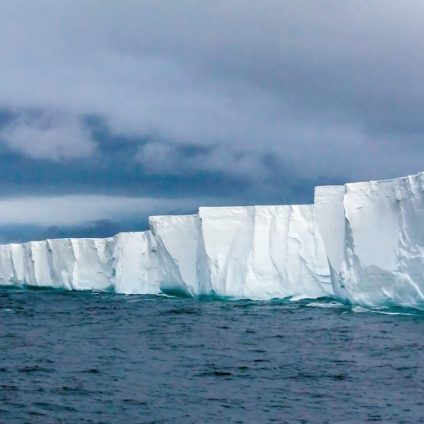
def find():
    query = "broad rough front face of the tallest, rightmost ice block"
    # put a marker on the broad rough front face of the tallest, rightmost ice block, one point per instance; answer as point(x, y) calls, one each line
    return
point(384, 255)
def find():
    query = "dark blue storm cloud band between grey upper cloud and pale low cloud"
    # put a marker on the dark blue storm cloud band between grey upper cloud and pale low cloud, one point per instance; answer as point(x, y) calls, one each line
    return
point(143, 167)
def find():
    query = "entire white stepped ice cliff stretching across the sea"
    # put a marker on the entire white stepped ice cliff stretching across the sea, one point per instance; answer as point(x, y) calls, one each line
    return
point(361, 243)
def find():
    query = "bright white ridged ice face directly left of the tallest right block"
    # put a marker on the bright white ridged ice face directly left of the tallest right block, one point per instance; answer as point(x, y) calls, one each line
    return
point(287, 249)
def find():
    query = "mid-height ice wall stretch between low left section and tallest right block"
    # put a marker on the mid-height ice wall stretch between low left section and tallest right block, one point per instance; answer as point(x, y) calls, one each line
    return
point(257, 252)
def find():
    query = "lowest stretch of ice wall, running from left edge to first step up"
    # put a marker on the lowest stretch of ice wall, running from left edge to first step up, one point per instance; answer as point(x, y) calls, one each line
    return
point(125, 263)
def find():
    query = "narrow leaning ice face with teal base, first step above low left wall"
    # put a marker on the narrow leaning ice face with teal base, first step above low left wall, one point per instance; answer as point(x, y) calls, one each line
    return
point(180, 253)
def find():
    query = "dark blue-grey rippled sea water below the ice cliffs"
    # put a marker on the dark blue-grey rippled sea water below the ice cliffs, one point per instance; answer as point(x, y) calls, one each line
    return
point(78, 357)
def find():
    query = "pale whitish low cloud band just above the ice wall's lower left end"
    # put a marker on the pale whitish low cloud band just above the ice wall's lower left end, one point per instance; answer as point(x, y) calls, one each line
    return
point(39, 217)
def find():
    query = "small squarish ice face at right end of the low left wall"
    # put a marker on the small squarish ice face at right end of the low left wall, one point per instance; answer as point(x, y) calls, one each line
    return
point(135, 267)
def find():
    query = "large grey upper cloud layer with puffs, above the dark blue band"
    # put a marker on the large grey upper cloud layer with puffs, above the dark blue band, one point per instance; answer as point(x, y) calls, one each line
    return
point(328, 89)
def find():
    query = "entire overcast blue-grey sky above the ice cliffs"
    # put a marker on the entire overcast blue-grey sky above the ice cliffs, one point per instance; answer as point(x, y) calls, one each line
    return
point(112, 110)
